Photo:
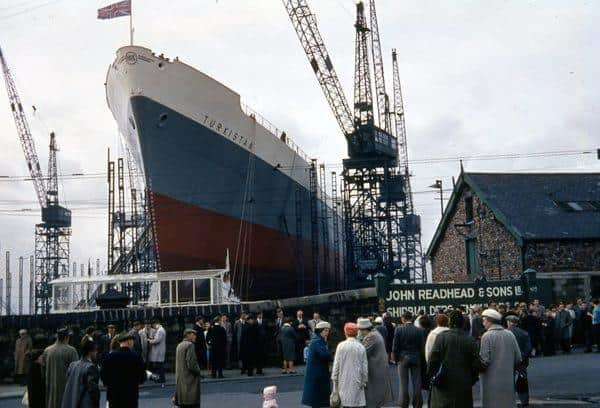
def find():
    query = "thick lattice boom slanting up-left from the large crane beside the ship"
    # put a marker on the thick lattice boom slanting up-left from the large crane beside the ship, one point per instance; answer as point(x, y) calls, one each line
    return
point(305, 24)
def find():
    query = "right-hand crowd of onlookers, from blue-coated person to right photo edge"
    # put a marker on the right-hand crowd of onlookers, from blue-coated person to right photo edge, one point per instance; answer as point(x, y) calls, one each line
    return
point(445, 354)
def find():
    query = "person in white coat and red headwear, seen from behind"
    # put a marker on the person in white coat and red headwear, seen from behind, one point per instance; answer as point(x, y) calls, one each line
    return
point(350, 371)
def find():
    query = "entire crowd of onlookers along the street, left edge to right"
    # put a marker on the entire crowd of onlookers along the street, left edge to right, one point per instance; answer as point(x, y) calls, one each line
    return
point(445, 354)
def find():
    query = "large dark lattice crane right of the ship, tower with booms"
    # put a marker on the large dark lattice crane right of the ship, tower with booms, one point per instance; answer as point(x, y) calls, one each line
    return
point(374, 187)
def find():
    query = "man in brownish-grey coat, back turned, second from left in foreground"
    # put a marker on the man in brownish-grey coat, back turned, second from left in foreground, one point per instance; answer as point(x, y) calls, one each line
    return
point(55, 361)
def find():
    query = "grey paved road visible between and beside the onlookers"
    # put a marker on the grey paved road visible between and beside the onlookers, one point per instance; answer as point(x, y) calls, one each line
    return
point(558, 381)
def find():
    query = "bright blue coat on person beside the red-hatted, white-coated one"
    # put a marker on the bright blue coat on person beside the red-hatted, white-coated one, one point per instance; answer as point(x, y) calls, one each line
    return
point(317, 386)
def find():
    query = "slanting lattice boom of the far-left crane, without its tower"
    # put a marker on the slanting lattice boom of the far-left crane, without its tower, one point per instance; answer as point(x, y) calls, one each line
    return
point(24, 134)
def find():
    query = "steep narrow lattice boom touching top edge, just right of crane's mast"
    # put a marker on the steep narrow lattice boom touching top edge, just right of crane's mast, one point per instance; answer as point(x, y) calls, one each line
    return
point(381, 95)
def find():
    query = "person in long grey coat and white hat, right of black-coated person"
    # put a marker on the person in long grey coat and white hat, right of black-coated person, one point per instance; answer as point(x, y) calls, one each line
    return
point(500, 355)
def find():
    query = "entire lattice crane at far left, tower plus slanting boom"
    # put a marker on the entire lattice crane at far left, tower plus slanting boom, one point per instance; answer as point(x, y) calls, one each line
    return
point(52, 235)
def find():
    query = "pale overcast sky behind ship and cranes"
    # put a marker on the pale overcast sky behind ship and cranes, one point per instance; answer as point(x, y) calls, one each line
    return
point(478, 78)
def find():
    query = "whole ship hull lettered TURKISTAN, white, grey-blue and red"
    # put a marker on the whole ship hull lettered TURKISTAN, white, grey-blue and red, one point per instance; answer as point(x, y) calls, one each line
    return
point(222, 179)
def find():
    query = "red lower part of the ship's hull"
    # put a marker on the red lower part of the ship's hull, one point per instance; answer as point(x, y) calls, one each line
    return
point(264, 262)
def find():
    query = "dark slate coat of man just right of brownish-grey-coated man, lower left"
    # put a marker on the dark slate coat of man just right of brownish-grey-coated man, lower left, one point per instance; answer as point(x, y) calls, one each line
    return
point(81, 390)
